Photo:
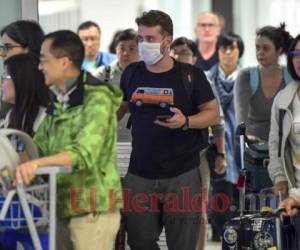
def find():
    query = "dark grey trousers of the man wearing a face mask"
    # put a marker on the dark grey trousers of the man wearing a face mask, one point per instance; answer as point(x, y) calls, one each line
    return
point(173, 203)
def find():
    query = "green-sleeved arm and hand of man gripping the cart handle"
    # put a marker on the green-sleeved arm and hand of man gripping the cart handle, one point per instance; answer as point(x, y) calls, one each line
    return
point(82, 152)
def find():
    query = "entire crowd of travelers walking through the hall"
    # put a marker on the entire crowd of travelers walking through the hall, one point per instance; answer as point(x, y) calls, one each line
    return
point(178, 103)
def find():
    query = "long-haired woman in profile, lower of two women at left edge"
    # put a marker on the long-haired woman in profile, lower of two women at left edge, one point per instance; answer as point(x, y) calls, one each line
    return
point(23, 87)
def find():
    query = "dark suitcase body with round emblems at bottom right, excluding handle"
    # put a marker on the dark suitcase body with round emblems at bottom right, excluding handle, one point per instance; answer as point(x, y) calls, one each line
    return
point(257, 232)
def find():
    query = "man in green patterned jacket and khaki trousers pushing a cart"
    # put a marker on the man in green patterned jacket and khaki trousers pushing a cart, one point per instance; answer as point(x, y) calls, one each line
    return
point(79, 132)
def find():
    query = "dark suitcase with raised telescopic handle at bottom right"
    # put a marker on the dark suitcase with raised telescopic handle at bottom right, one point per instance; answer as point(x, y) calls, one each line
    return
point(253, 230)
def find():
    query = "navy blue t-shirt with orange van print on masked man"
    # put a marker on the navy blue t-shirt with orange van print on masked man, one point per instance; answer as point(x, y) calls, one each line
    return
point(159, 152)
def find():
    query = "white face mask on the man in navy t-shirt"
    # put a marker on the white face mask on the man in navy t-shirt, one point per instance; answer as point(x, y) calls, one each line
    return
point(150, 52)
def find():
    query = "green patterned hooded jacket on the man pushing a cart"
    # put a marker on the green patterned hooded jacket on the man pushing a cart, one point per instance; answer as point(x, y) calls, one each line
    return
point(86, 129)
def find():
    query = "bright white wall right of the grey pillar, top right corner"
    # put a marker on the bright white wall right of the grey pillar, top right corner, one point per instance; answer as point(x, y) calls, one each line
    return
point(254, 14)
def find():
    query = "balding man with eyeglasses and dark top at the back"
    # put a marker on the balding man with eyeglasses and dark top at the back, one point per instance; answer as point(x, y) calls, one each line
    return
point(207, 31)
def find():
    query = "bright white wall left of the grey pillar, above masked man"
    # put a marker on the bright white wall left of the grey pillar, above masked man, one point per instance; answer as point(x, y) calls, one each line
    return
point(113, 15)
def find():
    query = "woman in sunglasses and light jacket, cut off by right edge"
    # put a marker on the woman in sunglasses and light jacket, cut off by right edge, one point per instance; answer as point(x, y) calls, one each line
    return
point(284, 142)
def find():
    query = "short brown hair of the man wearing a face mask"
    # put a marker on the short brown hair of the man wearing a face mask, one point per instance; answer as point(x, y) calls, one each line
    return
point(154, 18)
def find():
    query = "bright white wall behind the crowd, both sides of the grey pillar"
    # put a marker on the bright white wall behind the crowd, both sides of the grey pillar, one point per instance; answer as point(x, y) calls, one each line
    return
point(113, 15)
